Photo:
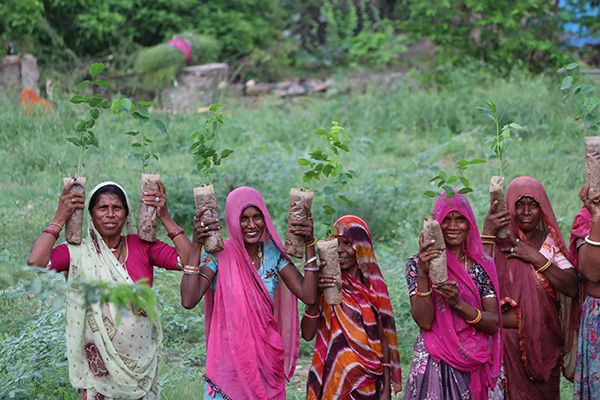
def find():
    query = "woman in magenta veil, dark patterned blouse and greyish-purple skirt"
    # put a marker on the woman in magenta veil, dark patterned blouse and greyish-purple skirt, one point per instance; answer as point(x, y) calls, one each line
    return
point(457, 354)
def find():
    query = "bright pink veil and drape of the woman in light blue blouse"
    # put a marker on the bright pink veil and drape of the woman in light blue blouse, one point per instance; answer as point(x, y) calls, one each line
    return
point(252, 341)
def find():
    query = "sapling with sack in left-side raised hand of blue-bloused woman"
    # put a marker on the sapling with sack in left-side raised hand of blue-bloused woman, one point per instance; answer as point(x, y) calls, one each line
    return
point(208, 159)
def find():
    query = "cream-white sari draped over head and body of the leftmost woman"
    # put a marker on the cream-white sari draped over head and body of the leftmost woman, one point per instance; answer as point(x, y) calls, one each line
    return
point(98, 360)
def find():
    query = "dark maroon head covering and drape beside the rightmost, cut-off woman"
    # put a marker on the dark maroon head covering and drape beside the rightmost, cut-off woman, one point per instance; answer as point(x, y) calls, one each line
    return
point(542, 312)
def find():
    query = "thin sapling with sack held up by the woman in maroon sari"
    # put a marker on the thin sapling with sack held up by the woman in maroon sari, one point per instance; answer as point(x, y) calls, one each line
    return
point(499, 145)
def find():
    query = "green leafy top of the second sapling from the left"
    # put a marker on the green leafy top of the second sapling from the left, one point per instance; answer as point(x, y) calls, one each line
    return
point(141, 115)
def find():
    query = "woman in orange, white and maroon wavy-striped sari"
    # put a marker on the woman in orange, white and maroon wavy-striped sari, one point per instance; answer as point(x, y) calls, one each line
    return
point(356, 351)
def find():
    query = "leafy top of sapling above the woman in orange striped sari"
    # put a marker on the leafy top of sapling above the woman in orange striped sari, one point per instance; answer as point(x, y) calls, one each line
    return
point(325, 165)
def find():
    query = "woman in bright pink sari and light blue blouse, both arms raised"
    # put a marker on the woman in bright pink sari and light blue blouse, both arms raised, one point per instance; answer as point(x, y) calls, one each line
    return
point(251, 319)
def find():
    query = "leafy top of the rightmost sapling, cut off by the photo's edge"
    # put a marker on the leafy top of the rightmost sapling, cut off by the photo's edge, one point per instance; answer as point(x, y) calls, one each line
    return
point(583, 95)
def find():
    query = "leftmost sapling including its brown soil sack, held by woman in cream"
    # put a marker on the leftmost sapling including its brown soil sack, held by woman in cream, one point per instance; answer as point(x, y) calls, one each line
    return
point(86, 137)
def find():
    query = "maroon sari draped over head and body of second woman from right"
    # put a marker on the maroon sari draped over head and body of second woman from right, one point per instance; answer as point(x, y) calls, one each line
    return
point(533, 352)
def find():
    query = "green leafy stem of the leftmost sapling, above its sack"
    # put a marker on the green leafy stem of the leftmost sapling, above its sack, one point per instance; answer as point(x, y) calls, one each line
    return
point(87, 137)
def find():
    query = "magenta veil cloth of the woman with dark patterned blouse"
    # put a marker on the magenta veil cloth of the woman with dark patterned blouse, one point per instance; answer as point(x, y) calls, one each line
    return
point(451, 339)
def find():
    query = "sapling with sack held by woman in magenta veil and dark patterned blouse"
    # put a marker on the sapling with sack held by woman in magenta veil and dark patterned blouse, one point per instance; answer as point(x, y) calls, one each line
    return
point(438, 267)
